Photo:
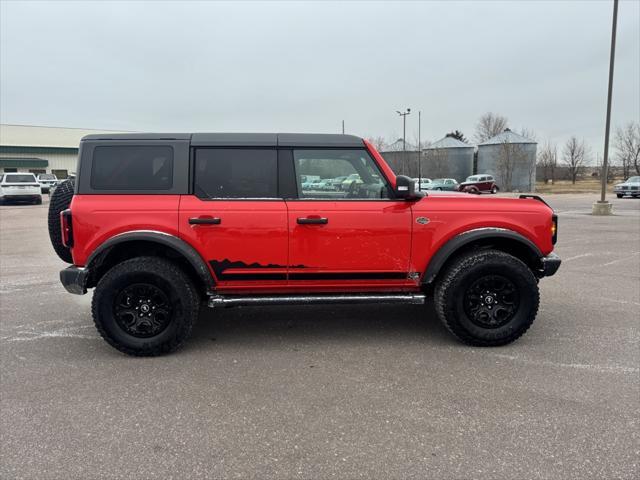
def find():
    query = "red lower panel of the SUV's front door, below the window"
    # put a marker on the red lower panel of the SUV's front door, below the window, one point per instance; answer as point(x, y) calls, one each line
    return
point(356, 243)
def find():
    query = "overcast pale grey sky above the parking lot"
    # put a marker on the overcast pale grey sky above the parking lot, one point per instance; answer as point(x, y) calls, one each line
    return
point(305, 66)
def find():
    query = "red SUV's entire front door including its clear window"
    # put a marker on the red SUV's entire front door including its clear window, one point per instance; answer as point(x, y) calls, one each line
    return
point(345, 229)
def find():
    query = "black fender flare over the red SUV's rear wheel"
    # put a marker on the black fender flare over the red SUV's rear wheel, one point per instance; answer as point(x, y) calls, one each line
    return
point(166, 239)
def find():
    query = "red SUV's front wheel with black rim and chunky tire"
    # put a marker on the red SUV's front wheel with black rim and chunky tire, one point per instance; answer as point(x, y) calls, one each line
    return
point(487, 298)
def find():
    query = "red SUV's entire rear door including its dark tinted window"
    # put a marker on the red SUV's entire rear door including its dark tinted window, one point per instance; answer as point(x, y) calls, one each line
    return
point(235, 218)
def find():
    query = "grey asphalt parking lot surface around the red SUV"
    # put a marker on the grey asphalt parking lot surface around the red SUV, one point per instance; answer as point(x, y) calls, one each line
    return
point(321, 392)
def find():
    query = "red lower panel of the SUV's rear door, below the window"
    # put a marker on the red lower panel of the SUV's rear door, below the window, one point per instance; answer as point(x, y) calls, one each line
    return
point(243, 241)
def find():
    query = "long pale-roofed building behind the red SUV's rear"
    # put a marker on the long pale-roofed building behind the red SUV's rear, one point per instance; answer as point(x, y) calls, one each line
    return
point(29, 148)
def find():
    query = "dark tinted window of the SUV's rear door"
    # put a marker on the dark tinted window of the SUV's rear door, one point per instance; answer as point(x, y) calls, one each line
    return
point(236, 173)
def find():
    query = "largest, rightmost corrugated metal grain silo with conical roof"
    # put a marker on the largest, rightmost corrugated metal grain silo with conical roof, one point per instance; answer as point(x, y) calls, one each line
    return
point(511, 159)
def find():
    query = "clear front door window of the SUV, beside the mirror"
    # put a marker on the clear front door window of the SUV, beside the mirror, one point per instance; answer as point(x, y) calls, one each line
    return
point(338, 174)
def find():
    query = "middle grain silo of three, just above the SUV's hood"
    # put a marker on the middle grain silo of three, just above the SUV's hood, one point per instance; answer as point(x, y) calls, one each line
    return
point(448, 158)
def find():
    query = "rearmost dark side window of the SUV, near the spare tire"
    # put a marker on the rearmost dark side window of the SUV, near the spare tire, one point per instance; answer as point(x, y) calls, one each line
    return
point(123, 167)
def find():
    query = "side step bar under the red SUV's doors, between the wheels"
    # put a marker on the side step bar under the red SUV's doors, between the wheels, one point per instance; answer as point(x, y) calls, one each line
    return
point(236, 301)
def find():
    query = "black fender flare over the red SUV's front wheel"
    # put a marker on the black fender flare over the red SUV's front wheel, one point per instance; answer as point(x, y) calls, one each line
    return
point(459, 241)
